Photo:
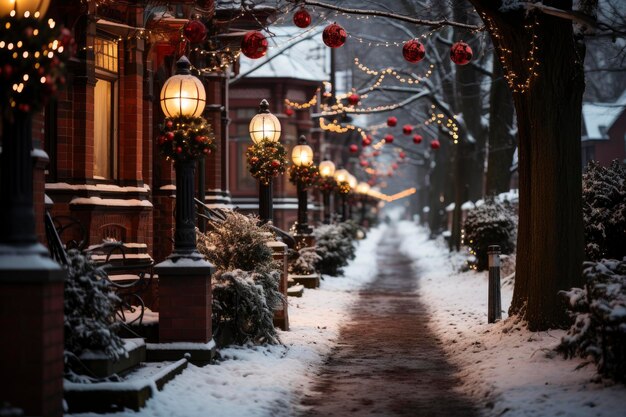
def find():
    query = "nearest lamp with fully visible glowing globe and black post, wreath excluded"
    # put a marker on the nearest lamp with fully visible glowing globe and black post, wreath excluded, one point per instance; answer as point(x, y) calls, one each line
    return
point(183, 96)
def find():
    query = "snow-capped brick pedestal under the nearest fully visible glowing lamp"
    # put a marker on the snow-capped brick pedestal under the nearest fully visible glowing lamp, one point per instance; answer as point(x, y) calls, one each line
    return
point(185, 301)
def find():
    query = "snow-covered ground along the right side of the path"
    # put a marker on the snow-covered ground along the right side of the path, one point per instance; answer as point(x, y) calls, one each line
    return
point(513, 371)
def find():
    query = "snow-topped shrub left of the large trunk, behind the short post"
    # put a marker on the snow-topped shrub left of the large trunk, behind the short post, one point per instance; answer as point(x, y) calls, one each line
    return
point(492, 223)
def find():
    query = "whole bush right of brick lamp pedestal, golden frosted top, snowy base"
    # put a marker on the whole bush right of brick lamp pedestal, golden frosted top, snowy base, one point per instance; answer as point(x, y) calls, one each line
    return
point(246, 285)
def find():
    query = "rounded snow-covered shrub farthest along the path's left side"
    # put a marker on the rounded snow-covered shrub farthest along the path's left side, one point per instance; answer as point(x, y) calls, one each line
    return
point(335, 245)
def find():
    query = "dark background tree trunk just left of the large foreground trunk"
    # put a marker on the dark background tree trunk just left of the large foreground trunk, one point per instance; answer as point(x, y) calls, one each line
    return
point(501, 141)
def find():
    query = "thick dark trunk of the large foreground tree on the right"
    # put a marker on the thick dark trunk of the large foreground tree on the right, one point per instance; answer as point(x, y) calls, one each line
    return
point(550, 238)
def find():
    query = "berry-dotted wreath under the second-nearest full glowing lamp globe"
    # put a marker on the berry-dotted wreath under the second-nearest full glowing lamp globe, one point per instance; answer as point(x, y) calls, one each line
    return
point(266, 160)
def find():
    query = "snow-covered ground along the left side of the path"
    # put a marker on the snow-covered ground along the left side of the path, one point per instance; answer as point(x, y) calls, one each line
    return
point(269, 380)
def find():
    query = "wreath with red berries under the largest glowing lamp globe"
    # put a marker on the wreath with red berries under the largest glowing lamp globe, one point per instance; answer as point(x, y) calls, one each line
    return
point(185, 138)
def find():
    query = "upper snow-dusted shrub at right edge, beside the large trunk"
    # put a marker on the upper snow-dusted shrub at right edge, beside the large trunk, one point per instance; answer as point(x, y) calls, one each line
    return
point(604, 211)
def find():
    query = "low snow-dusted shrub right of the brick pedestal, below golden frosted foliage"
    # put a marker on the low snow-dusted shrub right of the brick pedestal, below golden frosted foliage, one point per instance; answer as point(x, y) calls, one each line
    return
point(244, 302)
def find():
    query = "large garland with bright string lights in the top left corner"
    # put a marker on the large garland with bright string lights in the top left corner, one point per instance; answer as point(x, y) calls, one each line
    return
point(33, 55)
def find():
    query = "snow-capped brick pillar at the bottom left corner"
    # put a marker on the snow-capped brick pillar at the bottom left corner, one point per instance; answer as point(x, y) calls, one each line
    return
point(31, 318)
